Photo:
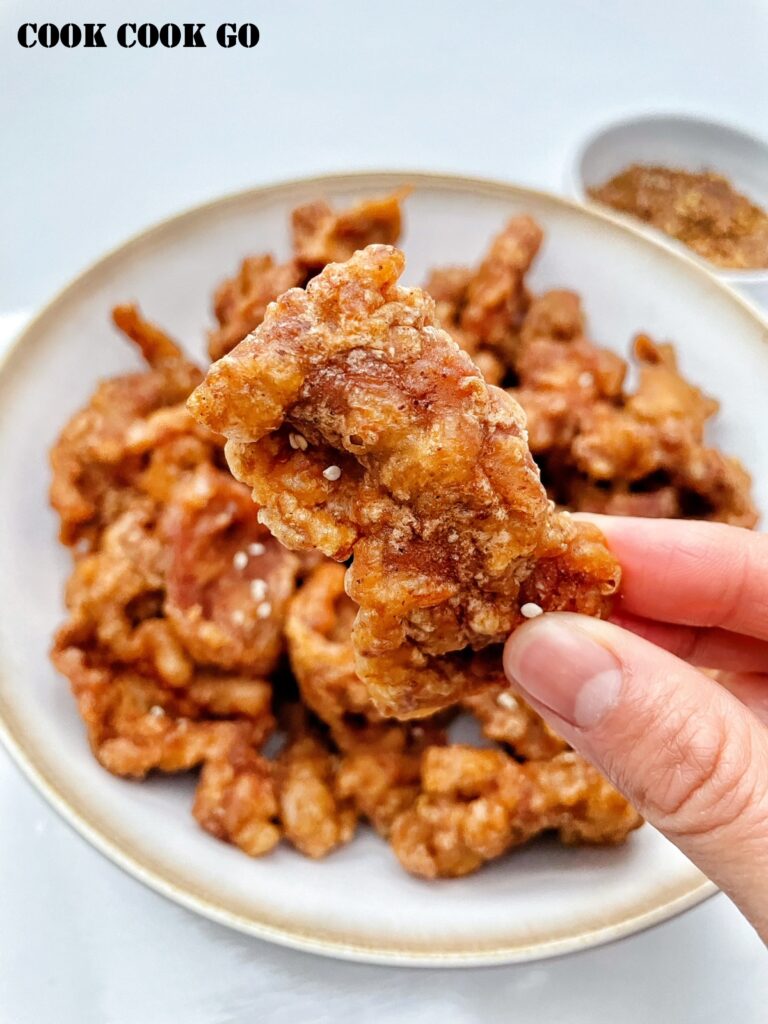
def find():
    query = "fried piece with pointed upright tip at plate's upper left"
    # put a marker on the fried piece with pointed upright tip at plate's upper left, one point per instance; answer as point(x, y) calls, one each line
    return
point(95, 463)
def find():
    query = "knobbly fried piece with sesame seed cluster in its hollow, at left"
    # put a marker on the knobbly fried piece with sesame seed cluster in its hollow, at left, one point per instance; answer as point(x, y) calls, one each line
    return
point(199, 583)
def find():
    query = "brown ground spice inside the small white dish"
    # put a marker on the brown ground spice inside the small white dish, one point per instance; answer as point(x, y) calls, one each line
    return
point(703, 210)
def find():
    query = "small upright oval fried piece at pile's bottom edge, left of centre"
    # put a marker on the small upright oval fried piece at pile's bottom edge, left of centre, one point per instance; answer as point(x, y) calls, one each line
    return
point(317, 818)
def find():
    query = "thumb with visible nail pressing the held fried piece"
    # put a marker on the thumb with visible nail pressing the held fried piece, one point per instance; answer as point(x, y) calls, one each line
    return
point(686, 752)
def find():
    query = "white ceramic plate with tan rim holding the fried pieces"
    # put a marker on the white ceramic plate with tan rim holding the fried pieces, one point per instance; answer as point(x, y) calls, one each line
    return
point(359, 905)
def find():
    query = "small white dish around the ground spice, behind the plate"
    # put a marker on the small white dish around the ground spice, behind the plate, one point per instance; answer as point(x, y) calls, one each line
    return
point(690, 143)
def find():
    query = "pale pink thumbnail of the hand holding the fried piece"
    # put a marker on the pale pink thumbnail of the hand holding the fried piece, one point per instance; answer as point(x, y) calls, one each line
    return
point(561, 666)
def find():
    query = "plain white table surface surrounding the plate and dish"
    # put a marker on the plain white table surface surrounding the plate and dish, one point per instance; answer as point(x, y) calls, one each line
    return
point(97, 145)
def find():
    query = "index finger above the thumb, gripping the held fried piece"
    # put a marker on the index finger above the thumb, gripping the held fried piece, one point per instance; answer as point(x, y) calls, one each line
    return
point(693, 574)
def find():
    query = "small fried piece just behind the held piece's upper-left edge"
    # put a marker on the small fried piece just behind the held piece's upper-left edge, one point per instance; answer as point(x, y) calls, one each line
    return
point(240, 303)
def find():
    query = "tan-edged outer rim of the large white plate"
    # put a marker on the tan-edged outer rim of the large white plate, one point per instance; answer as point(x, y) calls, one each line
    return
point(393, 953)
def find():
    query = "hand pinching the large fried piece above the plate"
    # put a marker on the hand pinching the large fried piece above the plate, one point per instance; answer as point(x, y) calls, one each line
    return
point(691, 753)
